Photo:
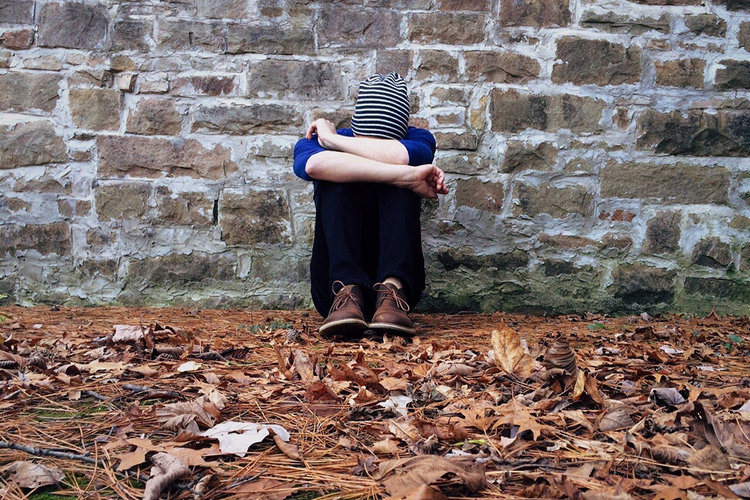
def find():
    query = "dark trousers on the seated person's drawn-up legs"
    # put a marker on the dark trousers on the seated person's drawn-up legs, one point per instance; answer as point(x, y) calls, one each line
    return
point(365, 233)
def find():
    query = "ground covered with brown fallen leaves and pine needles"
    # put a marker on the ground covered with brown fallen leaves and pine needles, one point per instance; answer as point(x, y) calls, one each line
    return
point(143, 403)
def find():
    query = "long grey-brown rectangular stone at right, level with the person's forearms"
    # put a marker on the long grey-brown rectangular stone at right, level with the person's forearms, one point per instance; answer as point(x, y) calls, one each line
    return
point(679, 183)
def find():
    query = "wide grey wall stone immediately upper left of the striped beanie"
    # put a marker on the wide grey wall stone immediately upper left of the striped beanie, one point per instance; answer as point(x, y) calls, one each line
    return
point(294, 79)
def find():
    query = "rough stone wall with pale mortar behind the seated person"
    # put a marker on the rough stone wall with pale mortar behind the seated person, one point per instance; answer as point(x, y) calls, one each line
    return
point(596, 151)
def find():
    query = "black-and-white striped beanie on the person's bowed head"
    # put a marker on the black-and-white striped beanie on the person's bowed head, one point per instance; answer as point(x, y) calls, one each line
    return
point(382, 108)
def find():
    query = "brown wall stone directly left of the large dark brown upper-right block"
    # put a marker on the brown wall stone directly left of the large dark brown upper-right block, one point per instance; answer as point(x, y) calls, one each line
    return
point(500, 67)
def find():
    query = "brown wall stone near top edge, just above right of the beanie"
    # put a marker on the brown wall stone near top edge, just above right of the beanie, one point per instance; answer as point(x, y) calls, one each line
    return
point(448, 28)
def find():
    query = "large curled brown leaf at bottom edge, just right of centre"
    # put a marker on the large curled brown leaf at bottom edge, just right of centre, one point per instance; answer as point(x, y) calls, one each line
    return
point(402, 476)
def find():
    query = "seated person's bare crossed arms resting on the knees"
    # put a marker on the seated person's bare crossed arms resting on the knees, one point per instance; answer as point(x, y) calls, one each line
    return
point(367, 159)
